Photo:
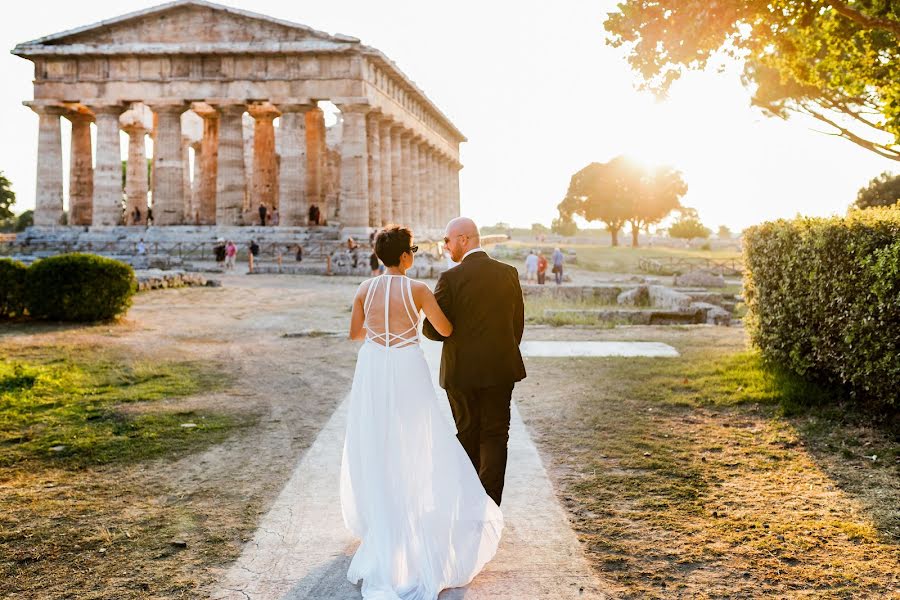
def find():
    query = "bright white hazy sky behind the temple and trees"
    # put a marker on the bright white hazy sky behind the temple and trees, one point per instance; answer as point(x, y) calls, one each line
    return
point(539, 94)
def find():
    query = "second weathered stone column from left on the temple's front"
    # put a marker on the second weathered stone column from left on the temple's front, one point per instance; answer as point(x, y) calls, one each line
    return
point(108, 167)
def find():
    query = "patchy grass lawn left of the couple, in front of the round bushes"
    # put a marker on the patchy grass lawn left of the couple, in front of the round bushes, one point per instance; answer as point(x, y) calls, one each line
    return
point(81, 514)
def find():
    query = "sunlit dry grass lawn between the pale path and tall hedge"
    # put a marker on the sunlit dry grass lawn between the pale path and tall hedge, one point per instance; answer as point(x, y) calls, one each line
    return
point(707, 476)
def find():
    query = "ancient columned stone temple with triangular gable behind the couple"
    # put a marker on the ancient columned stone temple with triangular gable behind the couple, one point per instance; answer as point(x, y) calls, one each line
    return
point(230, 101)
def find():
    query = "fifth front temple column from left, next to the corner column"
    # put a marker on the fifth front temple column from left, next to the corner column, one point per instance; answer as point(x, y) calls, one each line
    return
point(292, 190)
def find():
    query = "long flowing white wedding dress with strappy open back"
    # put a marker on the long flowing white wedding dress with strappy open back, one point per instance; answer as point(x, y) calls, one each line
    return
point(408, 489)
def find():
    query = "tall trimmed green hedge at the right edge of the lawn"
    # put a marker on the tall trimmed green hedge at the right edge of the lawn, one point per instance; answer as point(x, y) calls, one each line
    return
point(824, 299)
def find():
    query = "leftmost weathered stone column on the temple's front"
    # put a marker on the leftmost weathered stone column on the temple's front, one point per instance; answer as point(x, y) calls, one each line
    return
point(48, 192)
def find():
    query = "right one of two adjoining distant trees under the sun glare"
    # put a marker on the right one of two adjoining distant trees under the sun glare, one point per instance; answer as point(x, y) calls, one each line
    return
point(660, 191)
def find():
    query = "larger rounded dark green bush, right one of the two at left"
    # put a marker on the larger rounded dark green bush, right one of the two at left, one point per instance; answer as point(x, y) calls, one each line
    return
point(79, 287)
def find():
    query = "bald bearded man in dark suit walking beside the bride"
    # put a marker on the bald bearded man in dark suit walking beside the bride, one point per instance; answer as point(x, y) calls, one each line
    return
point(481, 362)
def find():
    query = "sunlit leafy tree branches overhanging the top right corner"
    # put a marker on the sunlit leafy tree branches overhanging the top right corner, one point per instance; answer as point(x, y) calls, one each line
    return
point(835, 61)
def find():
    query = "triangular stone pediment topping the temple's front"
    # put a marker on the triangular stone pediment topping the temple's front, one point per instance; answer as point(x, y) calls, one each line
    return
point(184, 24)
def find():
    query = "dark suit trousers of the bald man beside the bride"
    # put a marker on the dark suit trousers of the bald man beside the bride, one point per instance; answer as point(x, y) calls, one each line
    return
point(482, 423)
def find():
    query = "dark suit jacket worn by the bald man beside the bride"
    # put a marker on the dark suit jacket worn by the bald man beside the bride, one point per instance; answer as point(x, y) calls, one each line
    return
point(483, 299)
